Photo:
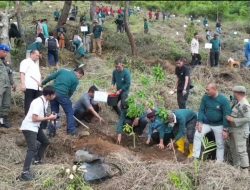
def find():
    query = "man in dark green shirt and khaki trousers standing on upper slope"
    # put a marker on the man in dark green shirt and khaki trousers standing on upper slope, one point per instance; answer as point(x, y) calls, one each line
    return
point(97, 37)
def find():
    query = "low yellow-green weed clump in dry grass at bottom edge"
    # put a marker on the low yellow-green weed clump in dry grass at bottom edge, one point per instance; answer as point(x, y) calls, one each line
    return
point(180, 180)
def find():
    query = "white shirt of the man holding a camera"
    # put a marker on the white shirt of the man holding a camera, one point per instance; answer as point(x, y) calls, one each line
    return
point(37, 108)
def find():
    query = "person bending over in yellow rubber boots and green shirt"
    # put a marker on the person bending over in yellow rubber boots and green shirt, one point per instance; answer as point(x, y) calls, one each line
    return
point(183, 121)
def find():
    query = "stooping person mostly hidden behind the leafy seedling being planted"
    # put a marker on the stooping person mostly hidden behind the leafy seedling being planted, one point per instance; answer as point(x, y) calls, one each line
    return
point(138, 123)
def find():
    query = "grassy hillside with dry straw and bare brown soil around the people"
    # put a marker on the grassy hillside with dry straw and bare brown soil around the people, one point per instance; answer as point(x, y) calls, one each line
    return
point(144, 167)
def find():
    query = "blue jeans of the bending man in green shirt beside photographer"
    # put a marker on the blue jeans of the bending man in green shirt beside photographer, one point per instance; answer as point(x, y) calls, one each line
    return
point(66, 104)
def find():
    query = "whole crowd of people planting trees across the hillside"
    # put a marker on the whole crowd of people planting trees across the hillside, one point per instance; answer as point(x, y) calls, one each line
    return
point(183, 125)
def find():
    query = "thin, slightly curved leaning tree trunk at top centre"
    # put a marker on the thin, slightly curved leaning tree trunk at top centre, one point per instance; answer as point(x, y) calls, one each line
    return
point(129, 33)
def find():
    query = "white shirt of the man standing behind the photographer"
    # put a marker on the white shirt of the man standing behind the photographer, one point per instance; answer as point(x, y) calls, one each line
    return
point(32, 73)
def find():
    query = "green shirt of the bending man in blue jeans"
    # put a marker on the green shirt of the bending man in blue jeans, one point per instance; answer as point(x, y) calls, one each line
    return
point(65, 82)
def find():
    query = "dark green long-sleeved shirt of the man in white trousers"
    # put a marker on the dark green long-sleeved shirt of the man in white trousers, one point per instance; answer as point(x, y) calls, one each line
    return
point(213, 111)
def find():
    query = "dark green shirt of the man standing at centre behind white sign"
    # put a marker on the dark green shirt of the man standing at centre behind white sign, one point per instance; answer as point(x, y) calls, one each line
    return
point(122, 79)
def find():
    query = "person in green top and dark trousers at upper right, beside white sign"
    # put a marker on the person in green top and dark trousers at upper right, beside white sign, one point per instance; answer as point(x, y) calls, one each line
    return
point(215, 51)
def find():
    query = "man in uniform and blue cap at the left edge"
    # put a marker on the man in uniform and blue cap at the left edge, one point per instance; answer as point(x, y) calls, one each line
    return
point(6, 82)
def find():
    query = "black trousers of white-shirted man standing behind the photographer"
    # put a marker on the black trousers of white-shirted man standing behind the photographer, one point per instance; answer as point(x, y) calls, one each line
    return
point(29, 96)
